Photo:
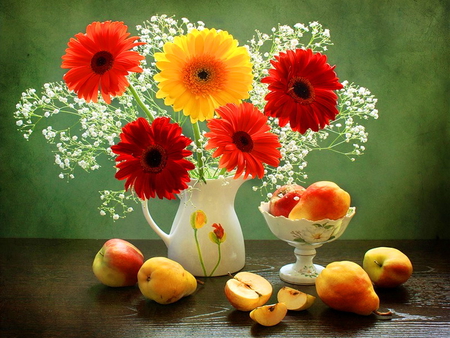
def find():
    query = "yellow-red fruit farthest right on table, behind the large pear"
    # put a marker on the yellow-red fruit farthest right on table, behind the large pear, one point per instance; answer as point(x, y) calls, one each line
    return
point(387, 267)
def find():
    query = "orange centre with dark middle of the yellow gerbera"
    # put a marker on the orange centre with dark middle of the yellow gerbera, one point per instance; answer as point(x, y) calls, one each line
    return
point(203, 75)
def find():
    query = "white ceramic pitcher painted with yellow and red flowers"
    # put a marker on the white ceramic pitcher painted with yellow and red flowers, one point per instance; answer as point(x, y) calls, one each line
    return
point(206, 236)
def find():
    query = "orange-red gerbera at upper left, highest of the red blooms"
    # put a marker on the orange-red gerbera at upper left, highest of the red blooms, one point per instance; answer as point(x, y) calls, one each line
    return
point(100, 60)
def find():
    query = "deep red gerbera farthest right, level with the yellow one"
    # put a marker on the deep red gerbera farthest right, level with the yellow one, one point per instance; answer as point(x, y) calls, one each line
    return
point(301, 86)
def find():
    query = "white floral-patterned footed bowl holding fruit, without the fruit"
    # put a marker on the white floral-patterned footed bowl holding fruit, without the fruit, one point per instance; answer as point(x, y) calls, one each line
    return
point(306, 236)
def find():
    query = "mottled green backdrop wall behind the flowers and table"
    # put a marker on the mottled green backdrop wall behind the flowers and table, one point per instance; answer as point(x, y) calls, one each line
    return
point(397, 49)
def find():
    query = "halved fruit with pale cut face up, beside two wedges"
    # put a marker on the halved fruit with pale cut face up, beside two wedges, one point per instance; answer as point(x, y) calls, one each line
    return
point(246, 291)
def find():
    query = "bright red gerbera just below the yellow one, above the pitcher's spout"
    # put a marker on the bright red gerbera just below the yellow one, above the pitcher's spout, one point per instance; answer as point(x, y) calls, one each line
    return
point(242, 138)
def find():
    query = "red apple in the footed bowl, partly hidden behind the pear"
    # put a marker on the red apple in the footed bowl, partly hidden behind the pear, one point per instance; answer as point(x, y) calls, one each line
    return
point(284, 199)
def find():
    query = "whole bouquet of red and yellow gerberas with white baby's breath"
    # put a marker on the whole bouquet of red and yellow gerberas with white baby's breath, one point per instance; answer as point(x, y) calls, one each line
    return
point(180, 101)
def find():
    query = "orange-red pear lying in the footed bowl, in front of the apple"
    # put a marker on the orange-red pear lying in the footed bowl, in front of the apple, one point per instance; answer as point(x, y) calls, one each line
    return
point(322, 200)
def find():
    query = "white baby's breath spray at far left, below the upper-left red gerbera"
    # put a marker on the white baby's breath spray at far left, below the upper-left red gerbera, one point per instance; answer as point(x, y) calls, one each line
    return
point(93, 127)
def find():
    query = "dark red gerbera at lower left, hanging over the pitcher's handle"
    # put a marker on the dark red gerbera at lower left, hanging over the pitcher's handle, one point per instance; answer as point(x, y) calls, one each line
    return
point(152, 158)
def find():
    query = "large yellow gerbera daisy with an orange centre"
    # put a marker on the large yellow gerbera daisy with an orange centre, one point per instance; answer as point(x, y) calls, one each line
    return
point(202, 71)
